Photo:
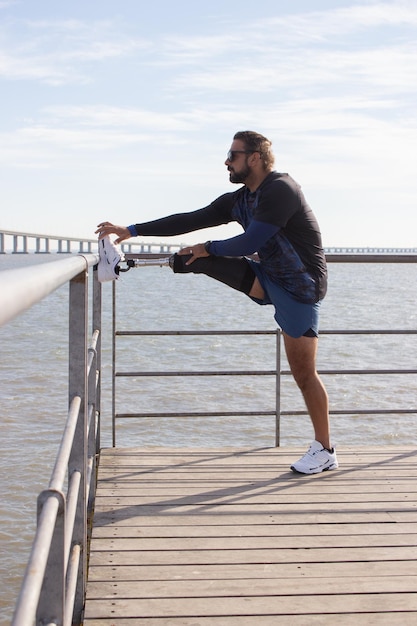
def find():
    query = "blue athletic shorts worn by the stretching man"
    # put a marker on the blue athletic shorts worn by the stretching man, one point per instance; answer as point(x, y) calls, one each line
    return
point(293, 317)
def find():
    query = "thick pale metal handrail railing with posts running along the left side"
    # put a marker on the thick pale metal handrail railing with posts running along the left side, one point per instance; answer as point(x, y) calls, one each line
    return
point(53, 588)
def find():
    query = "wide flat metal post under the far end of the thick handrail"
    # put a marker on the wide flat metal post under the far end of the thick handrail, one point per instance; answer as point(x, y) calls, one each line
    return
point(78, 318)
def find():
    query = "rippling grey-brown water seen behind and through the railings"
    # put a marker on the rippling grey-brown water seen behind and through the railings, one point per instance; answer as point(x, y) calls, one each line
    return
point(33, 373)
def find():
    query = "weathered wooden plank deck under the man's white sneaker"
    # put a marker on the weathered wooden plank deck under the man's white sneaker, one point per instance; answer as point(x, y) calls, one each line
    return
point(233, 537)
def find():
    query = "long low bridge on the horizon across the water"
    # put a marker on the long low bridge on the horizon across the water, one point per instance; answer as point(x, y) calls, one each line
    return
point(15, 242)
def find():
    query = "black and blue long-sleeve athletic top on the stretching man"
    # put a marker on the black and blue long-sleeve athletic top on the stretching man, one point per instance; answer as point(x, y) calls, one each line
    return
point(278, 224)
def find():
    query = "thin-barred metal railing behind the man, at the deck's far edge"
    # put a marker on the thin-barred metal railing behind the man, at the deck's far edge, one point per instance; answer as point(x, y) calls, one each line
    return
point(277, 373)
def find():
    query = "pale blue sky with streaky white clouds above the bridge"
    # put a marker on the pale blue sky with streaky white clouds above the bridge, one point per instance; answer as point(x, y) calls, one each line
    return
point(124, 110)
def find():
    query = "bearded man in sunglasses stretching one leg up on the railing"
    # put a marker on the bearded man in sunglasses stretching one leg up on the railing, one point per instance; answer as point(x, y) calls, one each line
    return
point(290, 271)
